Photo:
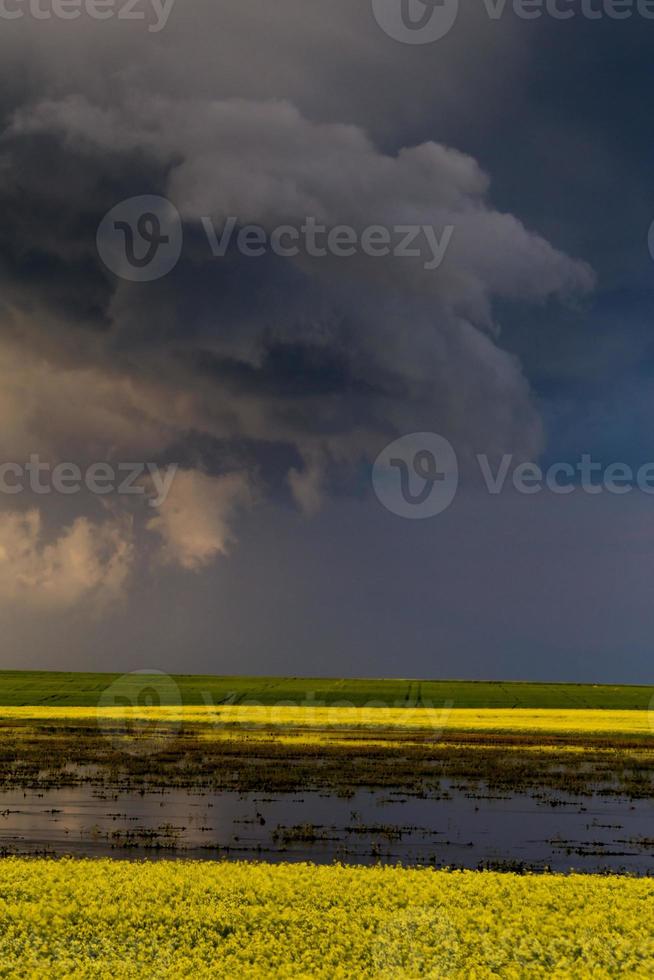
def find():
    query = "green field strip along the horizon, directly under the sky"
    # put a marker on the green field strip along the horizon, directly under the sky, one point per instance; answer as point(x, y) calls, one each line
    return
point(84, 690)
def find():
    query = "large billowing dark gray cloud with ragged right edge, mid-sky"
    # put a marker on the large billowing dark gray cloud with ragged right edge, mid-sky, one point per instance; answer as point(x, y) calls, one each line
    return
point(267, 350)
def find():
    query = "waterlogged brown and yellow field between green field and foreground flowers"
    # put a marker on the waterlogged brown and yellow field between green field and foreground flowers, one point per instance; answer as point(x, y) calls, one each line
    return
point(569, 797)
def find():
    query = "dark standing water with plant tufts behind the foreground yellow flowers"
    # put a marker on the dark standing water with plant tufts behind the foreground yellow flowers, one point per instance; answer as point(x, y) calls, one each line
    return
point(459, 828)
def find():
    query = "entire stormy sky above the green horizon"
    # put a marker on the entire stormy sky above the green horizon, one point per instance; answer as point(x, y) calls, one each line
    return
point(340, 330)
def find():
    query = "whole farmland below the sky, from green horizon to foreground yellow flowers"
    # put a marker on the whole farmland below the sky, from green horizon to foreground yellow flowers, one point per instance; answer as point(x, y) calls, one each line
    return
point(129, 739)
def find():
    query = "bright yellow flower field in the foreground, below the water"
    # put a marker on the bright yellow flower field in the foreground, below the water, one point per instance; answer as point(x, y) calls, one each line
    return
point(114, 919)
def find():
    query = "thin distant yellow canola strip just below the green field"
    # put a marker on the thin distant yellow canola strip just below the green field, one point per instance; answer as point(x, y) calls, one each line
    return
point(546, 720)
